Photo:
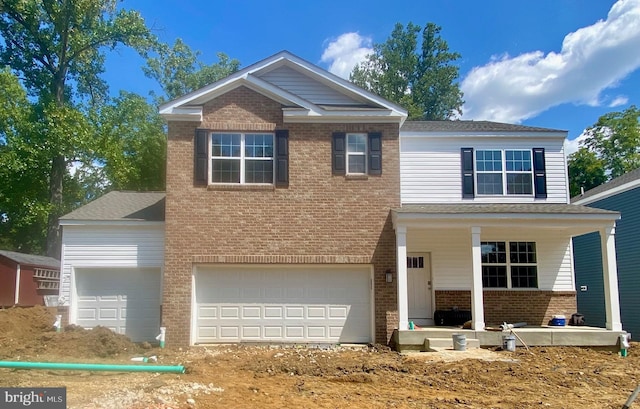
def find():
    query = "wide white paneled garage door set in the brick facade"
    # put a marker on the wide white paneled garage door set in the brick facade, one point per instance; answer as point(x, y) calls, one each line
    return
point(283, 304)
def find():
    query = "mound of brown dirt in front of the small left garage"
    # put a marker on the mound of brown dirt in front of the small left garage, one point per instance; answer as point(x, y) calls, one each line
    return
point(28, 333)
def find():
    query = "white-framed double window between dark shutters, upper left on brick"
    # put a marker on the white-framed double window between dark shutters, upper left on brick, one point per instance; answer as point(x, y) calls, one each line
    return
point(241, 158)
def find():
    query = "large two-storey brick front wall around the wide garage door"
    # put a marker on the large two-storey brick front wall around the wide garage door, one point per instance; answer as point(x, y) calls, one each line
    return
point(318, 217)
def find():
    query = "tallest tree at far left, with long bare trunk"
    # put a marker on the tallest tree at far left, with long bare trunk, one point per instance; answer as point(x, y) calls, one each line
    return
point(57, 49)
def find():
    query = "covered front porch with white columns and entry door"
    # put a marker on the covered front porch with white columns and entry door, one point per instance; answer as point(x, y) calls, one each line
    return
point(500, 262)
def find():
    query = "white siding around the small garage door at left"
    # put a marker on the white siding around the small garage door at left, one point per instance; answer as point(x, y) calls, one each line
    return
point(109, 246)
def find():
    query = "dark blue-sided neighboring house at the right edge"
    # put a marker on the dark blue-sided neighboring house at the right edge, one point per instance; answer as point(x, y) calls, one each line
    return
point(621, 194)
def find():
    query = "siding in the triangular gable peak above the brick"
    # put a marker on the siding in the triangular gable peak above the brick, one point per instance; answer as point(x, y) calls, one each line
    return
point(305, 87)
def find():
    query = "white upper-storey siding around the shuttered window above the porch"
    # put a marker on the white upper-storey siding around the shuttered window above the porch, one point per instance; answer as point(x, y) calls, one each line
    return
point(430, 168)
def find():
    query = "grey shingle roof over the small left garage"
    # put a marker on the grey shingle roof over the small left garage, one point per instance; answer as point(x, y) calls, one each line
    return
point(118, 205)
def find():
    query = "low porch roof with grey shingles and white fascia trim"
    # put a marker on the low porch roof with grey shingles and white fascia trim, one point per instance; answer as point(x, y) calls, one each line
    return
point(574, 219)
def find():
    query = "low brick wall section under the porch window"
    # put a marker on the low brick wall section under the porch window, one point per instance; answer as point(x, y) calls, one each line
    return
point(532, 307)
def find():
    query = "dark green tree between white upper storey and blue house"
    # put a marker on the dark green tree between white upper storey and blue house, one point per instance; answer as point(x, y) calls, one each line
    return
point(586, 171)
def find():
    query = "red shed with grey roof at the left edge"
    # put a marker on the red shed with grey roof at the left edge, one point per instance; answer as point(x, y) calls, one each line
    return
point(26, 279)
